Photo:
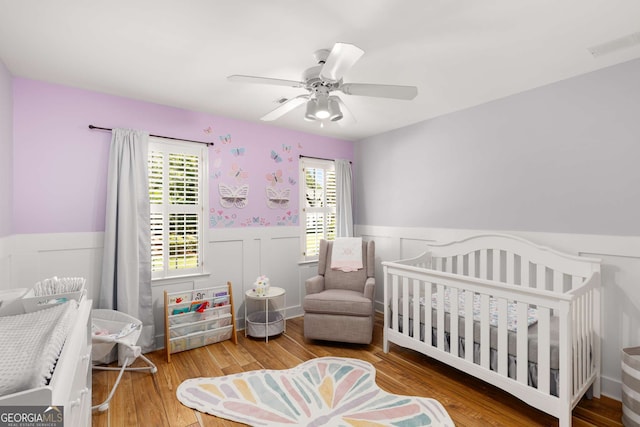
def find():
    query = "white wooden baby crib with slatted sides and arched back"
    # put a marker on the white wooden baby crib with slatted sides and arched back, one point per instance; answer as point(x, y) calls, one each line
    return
point(535, 311)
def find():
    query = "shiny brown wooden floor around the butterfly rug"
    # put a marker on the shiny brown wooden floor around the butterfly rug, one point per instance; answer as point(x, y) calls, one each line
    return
point(143, 399)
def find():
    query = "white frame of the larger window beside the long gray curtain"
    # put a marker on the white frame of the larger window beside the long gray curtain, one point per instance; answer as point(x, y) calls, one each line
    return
point(165, 208)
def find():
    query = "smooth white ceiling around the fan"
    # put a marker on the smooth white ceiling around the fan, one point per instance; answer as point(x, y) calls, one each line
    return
point(459, 53)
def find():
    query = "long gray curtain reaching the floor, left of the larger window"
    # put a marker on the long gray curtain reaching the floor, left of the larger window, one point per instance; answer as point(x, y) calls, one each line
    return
point(126, 265)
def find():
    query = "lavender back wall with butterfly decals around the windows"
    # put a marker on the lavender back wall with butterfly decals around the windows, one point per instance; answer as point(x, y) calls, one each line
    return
point(60, 165)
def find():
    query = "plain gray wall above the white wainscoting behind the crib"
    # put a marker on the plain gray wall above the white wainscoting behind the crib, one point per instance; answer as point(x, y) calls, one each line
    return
point(560, 158)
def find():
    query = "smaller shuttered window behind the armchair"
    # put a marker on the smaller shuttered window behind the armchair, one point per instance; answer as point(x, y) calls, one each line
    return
point(318, 204)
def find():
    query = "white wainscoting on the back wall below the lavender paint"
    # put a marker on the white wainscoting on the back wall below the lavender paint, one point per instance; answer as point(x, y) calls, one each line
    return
point(238, 255)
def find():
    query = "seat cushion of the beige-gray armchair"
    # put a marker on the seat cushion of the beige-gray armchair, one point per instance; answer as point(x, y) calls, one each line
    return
point(338, 301)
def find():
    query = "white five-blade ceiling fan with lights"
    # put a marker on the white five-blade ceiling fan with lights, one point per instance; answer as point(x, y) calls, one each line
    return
point(323, 79)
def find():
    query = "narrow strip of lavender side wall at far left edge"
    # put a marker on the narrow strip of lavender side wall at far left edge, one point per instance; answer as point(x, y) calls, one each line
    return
point(6, 150)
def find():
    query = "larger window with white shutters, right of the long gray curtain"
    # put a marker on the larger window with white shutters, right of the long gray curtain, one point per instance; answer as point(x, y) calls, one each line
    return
point(177, 196)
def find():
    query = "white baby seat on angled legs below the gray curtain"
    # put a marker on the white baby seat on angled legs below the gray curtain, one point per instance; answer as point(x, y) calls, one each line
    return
point(111, 328)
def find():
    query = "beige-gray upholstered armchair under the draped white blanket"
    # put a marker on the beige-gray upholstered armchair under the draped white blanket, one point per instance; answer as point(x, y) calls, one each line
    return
point(339, 305)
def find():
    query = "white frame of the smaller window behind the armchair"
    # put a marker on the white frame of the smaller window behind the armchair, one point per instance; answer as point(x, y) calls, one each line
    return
point(328, 233)
